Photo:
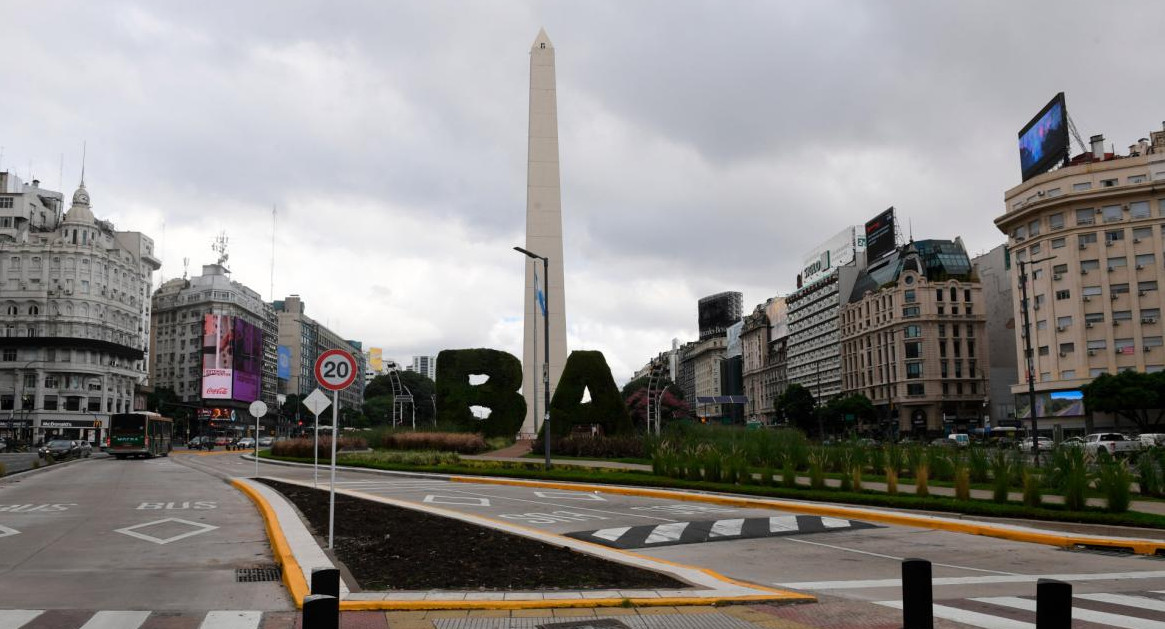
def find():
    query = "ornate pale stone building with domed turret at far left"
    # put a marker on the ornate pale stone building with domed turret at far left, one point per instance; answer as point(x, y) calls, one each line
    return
point(76, 315)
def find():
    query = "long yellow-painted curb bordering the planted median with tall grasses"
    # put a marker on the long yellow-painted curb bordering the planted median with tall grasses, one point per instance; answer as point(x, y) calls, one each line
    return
point(1064, 541)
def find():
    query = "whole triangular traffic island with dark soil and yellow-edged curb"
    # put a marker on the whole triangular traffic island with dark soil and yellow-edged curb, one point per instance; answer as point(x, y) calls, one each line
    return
point(408, 559)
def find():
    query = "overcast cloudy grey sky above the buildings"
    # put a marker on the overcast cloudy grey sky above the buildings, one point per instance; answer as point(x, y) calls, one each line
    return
point(376, 151)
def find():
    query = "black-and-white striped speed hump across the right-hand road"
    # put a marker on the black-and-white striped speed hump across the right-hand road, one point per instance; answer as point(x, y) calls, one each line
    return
point(717, 531)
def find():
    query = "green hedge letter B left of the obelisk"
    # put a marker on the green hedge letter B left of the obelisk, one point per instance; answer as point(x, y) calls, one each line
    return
point(499, 394)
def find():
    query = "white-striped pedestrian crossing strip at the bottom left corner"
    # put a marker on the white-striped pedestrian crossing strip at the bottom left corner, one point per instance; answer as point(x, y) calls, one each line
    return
point(73, 619)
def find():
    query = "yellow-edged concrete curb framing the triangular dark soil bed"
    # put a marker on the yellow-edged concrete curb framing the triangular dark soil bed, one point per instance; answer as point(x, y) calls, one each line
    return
point(718, 590)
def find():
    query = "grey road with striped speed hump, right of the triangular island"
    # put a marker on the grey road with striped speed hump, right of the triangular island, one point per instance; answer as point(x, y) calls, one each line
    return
point(829, 559)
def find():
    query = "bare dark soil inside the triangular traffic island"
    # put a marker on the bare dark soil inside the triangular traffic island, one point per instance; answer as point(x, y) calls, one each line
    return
point(392, 548)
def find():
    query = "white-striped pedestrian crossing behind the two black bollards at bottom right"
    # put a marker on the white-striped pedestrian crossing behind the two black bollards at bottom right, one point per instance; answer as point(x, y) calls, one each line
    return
point(1129, 611)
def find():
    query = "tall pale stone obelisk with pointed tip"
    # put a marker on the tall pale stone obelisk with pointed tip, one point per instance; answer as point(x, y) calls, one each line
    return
point(543, 236)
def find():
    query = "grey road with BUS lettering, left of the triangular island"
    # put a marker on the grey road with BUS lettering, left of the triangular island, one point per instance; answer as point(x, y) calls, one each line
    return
point(152, 535)
